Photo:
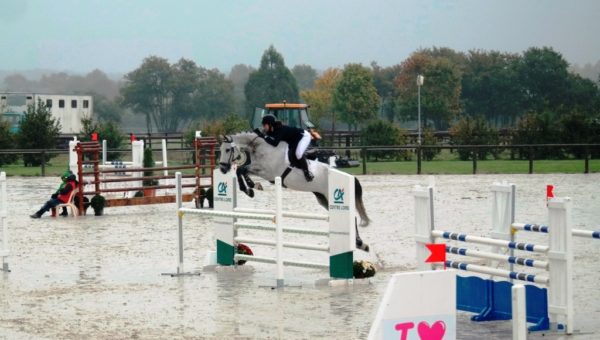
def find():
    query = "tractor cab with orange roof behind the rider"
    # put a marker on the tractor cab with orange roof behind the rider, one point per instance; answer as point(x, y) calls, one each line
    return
point(295, 115)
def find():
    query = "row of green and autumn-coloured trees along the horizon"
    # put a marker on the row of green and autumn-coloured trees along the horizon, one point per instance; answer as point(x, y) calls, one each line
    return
point(502, 88)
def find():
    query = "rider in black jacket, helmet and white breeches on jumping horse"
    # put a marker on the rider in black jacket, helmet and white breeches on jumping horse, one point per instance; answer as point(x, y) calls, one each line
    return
point(297, 140)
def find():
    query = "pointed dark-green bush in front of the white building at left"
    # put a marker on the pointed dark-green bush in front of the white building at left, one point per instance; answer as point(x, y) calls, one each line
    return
point(38, 130)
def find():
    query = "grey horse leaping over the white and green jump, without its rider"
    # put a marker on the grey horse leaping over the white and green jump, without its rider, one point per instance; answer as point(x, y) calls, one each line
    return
point(255, 157)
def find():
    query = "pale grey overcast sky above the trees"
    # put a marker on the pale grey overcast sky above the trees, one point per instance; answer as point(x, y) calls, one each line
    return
point(115, 36)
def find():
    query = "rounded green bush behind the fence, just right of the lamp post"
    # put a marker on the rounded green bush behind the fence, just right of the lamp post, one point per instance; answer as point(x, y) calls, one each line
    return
point(473, 131)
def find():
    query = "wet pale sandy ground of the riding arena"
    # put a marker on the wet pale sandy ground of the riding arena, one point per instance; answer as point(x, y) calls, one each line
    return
point(100, 277)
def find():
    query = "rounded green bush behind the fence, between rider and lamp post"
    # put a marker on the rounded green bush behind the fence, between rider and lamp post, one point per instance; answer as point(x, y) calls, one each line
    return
point(384, 133)
